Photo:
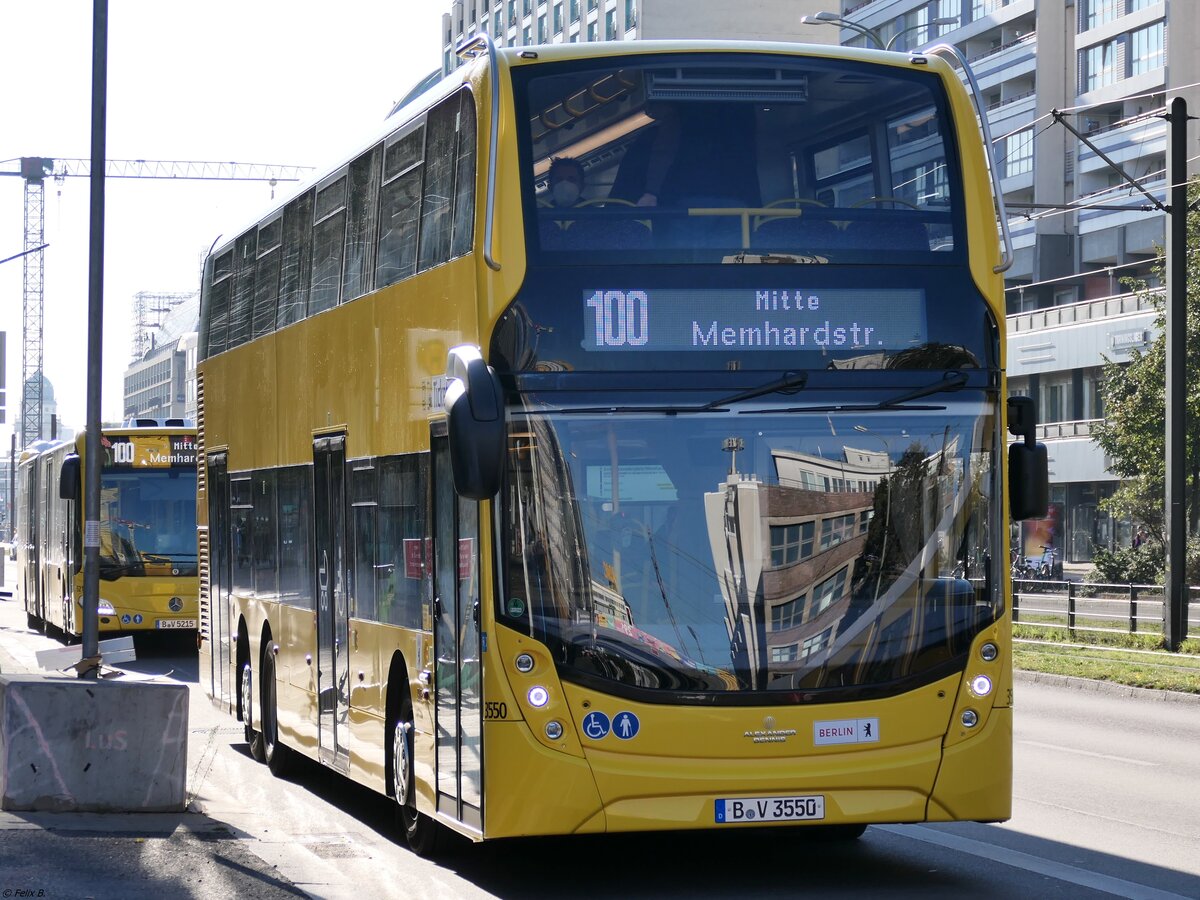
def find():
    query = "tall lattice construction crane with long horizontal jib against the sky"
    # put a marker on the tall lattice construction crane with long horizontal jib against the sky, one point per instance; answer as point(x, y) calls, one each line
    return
point(35, 171)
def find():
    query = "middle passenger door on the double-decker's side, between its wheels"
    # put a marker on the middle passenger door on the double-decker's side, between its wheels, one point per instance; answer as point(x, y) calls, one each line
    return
point(333, 675)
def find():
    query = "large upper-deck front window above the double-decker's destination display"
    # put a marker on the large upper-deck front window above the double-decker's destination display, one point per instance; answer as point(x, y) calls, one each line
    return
point(731, 160)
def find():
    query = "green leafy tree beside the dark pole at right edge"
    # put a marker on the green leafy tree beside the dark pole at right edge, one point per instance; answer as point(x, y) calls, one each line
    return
point(1133, 434)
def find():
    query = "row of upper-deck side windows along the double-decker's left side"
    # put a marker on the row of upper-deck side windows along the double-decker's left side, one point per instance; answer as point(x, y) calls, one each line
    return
point(401, 208)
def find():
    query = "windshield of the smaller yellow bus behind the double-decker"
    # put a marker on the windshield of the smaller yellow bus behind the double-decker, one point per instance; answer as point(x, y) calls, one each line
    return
point(148, 523)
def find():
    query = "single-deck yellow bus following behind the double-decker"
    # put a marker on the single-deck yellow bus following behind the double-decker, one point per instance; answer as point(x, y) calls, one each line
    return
point(148, 567)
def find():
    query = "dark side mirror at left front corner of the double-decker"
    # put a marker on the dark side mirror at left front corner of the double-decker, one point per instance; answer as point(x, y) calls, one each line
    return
point(475, 406)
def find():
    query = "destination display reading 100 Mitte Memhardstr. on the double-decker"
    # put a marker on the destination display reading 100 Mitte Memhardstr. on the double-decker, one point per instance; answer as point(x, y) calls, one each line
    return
point(836, 320)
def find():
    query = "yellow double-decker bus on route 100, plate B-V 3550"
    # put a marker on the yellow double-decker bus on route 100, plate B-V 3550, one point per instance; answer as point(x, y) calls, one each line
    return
point(676, 497)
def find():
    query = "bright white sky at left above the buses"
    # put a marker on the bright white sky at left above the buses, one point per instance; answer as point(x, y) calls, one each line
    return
point(285, 82)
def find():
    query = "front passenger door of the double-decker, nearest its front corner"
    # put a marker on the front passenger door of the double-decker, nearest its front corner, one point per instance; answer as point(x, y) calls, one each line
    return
point(457, 646)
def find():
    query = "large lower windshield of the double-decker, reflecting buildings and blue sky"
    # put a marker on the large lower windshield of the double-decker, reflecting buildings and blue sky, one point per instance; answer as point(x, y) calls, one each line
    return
point(751, 550)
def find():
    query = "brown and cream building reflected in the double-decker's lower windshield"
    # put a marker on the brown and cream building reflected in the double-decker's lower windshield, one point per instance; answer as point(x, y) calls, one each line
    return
point(789, 553)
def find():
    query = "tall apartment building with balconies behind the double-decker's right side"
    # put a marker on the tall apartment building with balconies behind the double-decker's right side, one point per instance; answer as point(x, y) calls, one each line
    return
point(1108, 69)
